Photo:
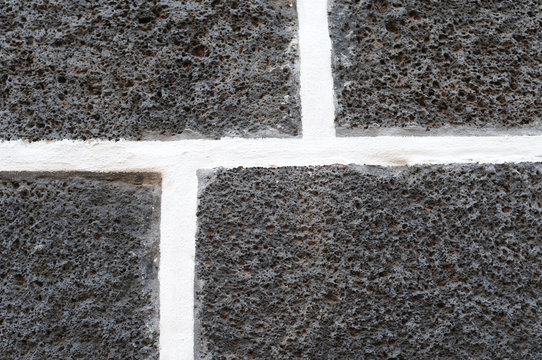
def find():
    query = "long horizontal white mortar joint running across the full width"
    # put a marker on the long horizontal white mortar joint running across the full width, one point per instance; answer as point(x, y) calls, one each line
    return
point(198, 154)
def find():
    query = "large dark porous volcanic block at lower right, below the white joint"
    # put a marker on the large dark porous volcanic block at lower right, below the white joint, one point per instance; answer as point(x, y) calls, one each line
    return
point(336, 262)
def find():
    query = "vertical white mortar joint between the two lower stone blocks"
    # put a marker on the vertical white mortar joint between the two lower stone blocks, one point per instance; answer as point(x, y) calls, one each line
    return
point(176, 274)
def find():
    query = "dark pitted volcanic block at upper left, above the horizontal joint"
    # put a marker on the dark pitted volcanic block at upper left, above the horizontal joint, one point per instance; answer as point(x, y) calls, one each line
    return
point(147, 69)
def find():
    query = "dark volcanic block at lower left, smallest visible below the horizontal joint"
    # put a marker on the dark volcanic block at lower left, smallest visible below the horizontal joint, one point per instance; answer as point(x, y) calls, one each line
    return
point(79, 266)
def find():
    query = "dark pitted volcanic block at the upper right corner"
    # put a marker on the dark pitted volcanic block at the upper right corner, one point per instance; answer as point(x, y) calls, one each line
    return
point(464, 65)
